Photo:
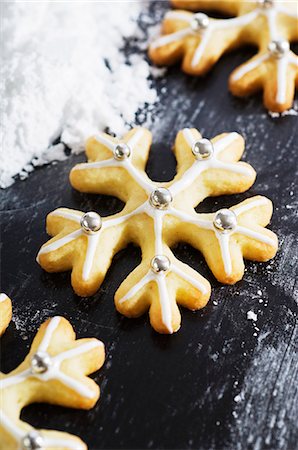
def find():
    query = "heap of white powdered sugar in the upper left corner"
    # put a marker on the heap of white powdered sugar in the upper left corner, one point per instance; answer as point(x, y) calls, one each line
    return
point(64, 73)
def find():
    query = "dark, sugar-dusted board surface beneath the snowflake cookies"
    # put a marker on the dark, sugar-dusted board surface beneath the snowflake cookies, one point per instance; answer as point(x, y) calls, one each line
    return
point(220, 382)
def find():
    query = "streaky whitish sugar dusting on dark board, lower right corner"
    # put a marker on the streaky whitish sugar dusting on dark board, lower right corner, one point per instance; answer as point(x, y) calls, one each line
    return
point(263, 420)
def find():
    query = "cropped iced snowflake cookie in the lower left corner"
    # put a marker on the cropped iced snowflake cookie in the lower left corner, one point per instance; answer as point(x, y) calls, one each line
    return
point(55, 372)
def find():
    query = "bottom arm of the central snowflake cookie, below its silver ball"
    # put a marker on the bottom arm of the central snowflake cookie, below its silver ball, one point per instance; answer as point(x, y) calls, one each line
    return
point(144, 289)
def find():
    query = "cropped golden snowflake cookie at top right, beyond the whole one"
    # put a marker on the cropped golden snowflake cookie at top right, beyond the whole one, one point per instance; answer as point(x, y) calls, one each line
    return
point(200, 41)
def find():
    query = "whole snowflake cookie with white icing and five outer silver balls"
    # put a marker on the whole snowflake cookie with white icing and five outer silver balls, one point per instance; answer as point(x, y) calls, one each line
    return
point(155, 217)
